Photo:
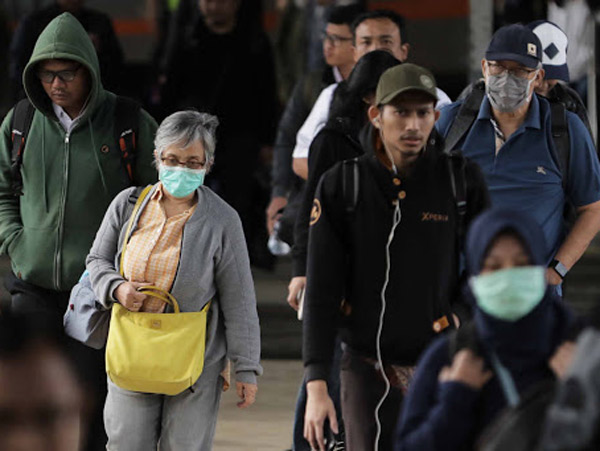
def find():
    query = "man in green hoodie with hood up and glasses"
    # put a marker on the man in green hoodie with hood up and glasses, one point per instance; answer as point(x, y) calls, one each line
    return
point(71, 170)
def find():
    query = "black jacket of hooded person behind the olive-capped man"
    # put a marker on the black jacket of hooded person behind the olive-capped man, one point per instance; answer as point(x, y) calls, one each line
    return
point(337, 141)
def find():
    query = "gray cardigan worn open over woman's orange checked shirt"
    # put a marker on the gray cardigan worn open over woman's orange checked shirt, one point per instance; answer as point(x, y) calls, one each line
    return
point(213, 265)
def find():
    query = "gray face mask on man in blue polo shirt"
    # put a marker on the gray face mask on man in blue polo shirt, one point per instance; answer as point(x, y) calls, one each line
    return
point(507, 92)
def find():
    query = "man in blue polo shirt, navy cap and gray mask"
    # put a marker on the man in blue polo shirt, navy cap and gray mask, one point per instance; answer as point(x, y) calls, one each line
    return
point(511, 140)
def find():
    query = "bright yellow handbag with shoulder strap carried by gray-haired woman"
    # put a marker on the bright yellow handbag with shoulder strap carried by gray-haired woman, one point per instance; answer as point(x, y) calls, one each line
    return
point(155, 352)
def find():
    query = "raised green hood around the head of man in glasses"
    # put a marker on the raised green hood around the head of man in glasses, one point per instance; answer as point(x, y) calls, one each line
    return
point(63, 38)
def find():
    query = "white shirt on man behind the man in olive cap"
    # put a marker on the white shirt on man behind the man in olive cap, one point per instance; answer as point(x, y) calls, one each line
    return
point(318, 116)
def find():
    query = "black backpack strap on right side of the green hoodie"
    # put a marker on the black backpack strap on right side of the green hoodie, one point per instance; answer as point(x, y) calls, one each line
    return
point(126, 127)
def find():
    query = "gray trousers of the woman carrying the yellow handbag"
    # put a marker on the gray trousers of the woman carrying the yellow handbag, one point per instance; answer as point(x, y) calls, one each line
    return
point(146, 422)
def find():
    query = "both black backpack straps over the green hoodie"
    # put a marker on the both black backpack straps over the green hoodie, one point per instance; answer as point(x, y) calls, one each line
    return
point(126, 120)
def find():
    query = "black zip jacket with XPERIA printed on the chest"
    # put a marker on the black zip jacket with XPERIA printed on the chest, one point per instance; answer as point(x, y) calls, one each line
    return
point(347, 259)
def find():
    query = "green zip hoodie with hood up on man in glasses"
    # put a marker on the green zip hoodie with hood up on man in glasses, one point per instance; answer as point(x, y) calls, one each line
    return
point(69, 179)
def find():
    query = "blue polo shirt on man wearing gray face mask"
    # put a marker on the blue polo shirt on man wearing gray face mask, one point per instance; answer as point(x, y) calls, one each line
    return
point(524, 175)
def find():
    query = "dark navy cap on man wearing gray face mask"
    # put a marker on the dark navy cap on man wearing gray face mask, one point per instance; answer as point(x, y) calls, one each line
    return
point(515, 43)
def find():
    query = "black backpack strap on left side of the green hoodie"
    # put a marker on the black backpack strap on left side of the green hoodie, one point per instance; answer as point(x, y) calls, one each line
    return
point(20, 124)
